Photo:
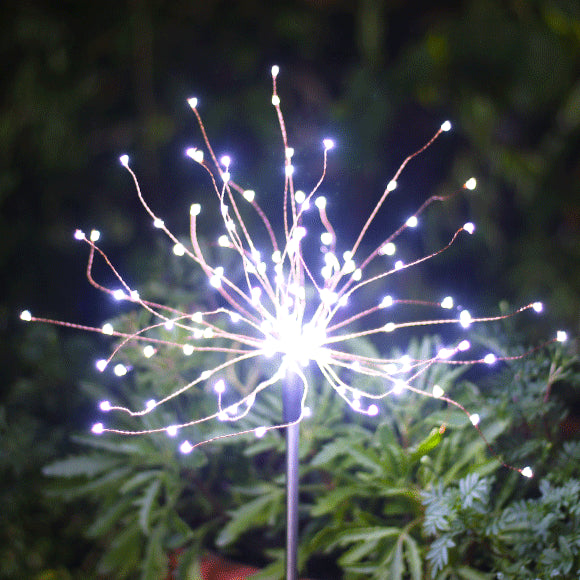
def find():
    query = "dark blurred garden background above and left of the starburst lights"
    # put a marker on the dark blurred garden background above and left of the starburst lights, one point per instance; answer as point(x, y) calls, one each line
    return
point(83, 82)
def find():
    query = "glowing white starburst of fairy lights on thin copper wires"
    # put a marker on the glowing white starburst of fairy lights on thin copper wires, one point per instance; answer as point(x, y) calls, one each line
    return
point(296, 302)
